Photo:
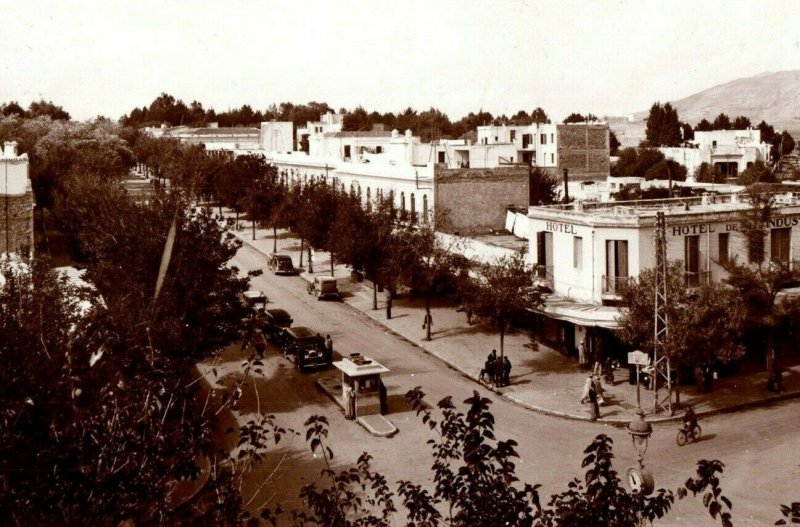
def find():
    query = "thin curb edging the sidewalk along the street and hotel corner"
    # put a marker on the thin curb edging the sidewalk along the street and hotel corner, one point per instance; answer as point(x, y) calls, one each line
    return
point(620, 423)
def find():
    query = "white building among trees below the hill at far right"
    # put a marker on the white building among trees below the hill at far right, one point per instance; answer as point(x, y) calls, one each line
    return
point(732, 151)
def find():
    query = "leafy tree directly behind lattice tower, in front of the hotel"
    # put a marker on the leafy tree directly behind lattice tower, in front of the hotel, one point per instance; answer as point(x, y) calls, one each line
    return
point(710, 318)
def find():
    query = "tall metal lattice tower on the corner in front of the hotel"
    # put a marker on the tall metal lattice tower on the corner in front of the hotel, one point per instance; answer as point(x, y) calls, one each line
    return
point(661, 369)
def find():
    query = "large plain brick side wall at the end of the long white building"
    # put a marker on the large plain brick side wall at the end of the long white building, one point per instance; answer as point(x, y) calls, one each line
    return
point(477, 199)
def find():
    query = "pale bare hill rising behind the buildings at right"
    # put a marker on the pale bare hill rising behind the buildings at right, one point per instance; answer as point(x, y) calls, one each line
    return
point(771, 96)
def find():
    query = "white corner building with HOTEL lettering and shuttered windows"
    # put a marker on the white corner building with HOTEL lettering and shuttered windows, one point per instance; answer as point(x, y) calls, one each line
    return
point(583, 252)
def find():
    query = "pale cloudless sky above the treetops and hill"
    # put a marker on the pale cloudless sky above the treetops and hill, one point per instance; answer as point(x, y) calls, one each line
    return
point(604, 57)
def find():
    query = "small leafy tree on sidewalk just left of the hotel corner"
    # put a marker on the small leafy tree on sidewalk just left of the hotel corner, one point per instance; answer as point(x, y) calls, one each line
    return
point(503, 291)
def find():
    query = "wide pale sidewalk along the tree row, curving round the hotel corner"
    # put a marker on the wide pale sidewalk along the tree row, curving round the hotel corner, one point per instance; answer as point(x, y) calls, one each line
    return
point(542, 379)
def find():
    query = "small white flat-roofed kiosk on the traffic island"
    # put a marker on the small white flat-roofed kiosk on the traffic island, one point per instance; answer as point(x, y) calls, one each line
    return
point(362, 390)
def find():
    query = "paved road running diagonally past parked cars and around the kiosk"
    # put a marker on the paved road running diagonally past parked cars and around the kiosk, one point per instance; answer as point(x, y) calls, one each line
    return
point(760, 447)
